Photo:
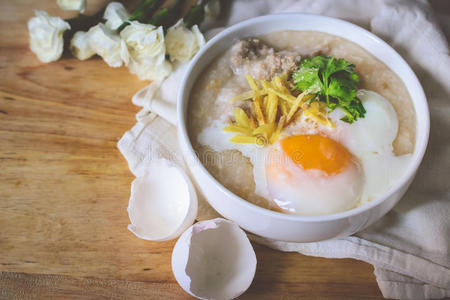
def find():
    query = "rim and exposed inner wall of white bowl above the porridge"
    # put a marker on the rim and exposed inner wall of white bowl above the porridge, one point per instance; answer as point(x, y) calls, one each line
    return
point(272, 23)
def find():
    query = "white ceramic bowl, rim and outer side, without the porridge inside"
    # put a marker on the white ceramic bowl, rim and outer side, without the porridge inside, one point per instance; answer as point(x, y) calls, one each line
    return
point(271, 224)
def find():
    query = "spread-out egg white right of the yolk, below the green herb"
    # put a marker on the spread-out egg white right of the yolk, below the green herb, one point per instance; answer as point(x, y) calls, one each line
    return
point(370, 139)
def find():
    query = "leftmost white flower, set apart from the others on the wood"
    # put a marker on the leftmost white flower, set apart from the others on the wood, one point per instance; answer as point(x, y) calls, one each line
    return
point(46, 36)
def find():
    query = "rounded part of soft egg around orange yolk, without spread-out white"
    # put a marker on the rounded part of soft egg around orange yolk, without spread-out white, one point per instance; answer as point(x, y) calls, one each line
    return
point(313, 175)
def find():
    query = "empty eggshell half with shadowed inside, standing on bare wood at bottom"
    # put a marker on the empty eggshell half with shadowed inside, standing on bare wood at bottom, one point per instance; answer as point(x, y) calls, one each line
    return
point(214, 260)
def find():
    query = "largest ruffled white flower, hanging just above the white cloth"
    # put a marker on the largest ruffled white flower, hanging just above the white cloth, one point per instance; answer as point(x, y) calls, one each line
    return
point(147, 51)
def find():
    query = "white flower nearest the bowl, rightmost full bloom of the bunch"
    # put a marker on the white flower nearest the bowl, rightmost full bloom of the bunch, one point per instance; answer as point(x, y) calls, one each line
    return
point(182, 43)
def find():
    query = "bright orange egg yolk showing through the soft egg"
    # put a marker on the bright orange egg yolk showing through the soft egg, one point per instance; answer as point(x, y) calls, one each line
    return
point(317, 152)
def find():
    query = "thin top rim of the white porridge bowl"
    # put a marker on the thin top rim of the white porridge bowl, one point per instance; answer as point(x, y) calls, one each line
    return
point(419, 147)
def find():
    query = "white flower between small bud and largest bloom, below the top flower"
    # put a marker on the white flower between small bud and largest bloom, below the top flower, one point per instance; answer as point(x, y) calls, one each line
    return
point(106, 43)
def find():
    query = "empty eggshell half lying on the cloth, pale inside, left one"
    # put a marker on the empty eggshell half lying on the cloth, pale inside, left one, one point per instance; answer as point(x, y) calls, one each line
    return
point(163, 202)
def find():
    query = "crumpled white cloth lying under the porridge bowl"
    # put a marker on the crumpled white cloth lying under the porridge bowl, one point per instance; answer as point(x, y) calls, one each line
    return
point(409, 247)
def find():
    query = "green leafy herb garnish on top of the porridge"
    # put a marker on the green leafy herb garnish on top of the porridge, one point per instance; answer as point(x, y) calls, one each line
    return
point(333, 81)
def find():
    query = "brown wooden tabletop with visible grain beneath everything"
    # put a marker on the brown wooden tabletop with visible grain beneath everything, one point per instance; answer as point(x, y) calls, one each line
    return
point(64, 189)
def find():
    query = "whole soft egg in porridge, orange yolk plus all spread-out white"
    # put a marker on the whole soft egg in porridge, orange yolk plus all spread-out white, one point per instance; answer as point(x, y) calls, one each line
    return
point(334, 170)
